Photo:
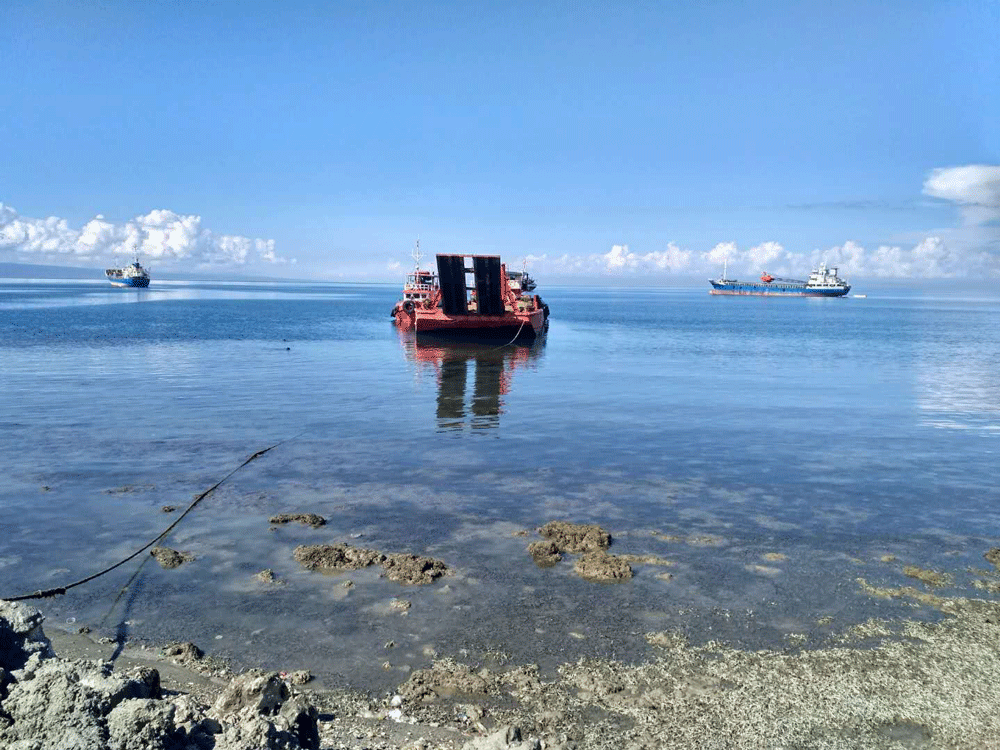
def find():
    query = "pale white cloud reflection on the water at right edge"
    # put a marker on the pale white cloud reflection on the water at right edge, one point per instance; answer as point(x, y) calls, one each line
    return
point(959, 388)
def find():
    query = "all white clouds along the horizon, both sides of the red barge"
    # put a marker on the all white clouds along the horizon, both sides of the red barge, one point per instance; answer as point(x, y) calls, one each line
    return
point(168, 237)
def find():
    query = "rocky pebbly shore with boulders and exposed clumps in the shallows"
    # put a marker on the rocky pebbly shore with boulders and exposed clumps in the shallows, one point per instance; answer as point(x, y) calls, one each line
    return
point(920, 683)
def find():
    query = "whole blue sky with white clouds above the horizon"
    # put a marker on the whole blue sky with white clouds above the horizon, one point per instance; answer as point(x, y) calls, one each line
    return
point(629, 140)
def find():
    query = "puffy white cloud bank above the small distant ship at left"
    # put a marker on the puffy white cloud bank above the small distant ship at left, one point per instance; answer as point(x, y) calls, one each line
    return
point(161, 235)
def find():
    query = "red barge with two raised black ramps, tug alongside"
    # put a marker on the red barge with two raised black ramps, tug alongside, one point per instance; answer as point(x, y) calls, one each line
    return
point(472, 297)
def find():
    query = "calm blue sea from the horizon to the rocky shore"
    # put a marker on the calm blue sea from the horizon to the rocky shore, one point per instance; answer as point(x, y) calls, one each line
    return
point(767, 456)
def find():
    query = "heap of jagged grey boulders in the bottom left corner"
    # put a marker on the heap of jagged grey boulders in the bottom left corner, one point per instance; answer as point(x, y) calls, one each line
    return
point(48, 702)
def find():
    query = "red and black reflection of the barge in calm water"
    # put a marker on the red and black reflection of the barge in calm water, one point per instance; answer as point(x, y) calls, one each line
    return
point(491, 368)
